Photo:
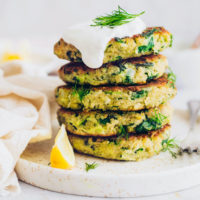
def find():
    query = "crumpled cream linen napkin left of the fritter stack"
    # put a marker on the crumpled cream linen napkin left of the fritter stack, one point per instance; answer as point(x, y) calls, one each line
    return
point(24, 117)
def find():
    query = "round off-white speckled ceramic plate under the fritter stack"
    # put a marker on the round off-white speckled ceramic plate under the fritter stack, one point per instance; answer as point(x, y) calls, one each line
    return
point(160, 174)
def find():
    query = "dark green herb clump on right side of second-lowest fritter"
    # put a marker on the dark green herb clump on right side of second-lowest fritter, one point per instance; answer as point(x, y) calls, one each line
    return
point(152, 123)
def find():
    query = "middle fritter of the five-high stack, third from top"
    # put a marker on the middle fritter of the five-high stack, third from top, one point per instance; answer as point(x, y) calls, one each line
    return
point(124, 98)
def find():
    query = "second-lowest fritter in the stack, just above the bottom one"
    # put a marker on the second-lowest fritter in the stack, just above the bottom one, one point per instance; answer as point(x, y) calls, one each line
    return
point(103, 124)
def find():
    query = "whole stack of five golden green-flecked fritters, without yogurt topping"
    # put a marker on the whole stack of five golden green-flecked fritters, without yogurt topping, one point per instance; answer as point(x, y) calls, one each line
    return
point(120, 110)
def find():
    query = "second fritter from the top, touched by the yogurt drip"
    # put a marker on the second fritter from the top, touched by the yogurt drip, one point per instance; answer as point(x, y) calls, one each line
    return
point(127, 72)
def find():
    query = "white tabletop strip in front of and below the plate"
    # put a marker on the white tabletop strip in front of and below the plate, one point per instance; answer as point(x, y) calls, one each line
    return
point(31, 192)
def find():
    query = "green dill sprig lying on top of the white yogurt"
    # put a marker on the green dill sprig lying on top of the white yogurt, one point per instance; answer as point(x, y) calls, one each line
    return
point(116, 18)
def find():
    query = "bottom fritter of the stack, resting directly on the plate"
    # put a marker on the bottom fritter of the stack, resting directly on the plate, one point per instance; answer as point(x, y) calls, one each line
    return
point(133, 148)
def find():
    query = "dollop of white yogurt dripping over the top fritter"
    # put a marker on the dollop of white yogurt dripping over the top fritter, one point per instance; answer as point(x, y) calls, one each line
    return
point(91, 41)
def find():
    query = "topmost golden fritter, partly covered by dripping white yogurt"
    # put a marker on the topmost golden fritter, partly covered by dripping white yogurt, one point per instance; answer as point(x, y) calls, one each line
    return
point(151, 41)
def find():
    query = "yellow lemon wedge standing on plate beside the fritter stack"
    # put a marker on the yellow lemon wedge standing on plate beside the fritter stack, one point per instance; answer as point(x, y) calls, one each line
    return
point(62, 154)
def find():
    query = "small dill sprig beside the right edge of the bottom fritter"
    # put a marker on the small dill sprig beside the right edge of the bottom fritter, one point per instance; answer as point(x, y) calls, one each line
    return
point(171, 146)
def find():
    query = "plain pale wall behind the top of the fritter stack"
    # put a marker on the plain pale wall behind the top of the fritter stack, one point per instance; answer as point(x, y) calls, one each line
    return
point(36, 18)
